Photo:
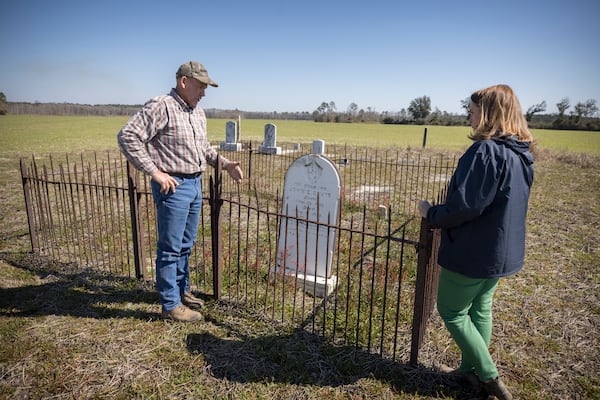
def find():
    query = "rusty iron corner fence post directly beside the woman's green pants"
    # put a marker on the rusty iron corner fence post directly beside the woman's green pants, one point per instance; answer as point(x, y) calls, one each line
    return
point(425, 290)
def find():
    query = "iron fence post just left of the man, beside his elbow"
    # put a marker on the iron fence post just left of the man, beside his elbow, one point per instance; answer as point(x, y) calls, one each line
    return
point(134, 209)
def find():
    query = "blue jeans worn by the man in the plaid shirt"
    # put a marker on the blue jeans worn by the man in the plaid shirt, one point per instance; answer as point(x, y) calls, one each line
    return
point(177, 216)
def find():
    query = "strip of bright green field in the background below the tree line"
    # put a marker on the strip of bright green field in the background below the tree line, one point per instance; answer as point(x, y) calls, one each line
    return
point(47, 134)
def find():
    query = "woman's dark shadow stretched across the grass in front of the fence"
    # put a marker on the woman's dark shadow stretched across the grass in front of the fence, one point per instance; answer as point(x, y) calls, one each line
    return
point(302, 358)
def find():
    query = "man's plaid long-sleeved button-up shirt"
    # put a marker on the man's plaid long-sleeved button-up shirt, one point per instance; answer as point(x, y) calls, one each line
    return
point(168, 135)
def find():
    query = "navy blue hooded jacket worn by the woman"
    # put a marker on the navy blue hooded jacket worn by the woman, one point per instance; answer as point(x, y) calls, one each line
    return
point(483, 219)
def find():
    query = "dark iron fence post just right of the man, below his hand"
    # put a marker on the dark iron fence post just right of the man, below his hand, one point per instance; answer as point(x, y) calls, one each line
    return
point(216, 202)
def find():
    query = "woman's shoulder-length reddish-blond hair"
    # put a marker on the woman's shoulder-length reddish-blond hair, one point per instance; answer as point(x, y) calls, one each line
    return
point(501, 114)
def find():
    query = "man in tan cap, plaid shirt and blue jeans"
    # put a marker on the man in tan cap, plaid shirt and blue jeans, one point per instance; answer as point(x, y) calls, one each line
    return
point(167, 140)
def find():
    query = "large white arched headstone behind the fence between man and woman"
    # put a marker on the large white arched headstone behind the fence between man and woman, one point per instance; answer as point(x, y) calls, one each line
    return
point(312, 189)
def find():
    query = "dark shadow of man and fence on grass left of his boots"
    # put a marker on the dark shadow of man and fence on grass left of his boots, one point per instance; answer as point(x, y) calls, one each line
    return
point(65, 289)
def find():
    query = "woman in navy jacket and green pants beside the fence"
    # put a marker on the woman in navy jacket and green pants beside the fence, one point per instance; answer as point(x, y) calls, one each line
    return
point(482, 224)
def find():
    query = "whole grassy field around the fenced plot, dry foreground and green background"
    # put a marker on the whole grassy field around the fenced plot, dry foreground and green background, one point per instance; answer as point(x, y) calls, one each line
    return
point(69, 333)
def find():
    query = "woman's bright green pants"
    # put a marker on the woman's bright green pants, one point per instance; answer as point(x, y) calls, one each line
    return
point(465, 305)
